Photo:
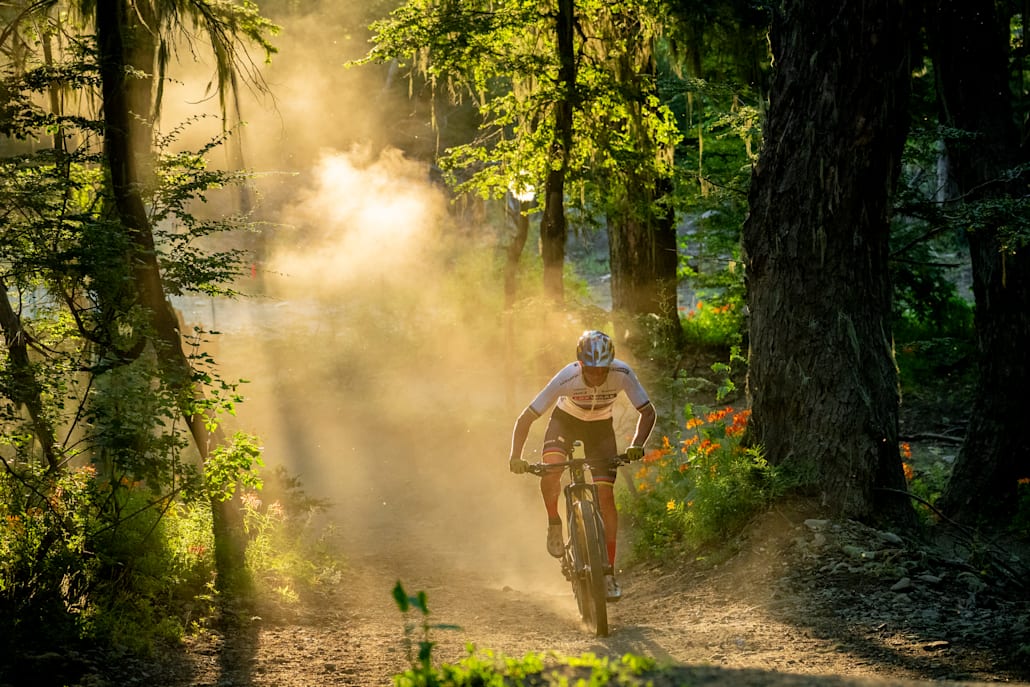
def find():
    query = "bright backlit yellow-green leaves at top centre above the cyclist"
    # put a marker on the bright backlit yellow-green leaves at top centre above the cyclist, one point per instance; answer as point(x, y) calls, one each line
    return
point(503, 58)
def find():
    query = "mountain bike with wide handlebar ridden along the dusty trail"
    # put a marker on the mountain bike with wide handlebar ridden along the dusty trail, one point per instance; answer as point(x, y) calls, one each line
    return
point(586, 560)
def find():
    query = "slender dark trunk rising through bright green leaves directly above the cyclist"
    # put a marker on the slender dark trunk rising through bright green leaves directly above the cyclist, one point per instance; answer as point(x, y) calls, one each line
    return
point(554, 230)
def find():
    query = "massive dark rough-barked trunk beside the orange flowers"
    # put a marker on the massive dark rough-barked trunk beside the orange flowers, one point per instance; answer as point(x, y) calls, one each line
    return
point(822, 381)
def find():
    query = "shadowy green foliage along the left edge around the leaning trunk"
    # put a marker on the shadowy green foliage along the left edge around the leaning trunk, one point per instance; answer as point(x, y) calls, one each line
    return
point(111, 542)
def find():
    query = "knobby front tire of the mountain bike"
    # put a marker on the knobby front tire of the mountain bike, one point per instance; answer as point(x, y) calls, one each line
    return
point(589, 580)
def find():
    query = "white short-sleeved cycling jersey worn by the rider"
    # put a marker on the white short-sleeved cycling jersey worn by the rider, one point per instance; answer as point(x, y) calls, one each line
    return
point(570, 391)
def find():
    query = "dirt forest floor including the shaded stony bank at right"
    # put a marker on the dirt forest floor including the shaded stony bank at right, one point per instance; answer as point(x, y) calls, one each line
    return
point(796, 600)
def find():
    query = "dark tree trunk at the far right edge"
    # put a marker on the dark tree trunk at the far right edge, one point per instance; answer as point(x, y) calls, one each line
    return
point(971, 50)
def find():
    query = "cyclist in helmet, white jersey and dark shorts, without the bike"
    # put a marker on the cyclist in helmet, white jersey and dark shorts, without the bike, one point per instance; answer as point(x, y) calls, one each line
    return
point(585, 393)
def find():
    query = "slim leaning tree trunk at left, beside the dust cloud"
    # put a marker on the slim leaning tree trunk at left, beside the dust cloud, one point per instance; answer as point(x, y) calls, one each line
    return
point(114, 22)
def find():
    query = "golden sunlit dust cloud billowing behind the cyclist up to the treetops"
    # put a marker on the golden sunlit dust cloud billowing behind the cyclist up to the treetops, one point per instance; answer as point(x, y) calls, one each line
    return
point(383, 371)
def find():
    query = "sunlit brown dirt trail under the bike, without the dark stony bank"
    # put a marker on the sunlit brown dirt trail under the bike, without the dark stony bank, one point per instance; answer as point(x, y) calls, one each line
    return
point(762, 619)
